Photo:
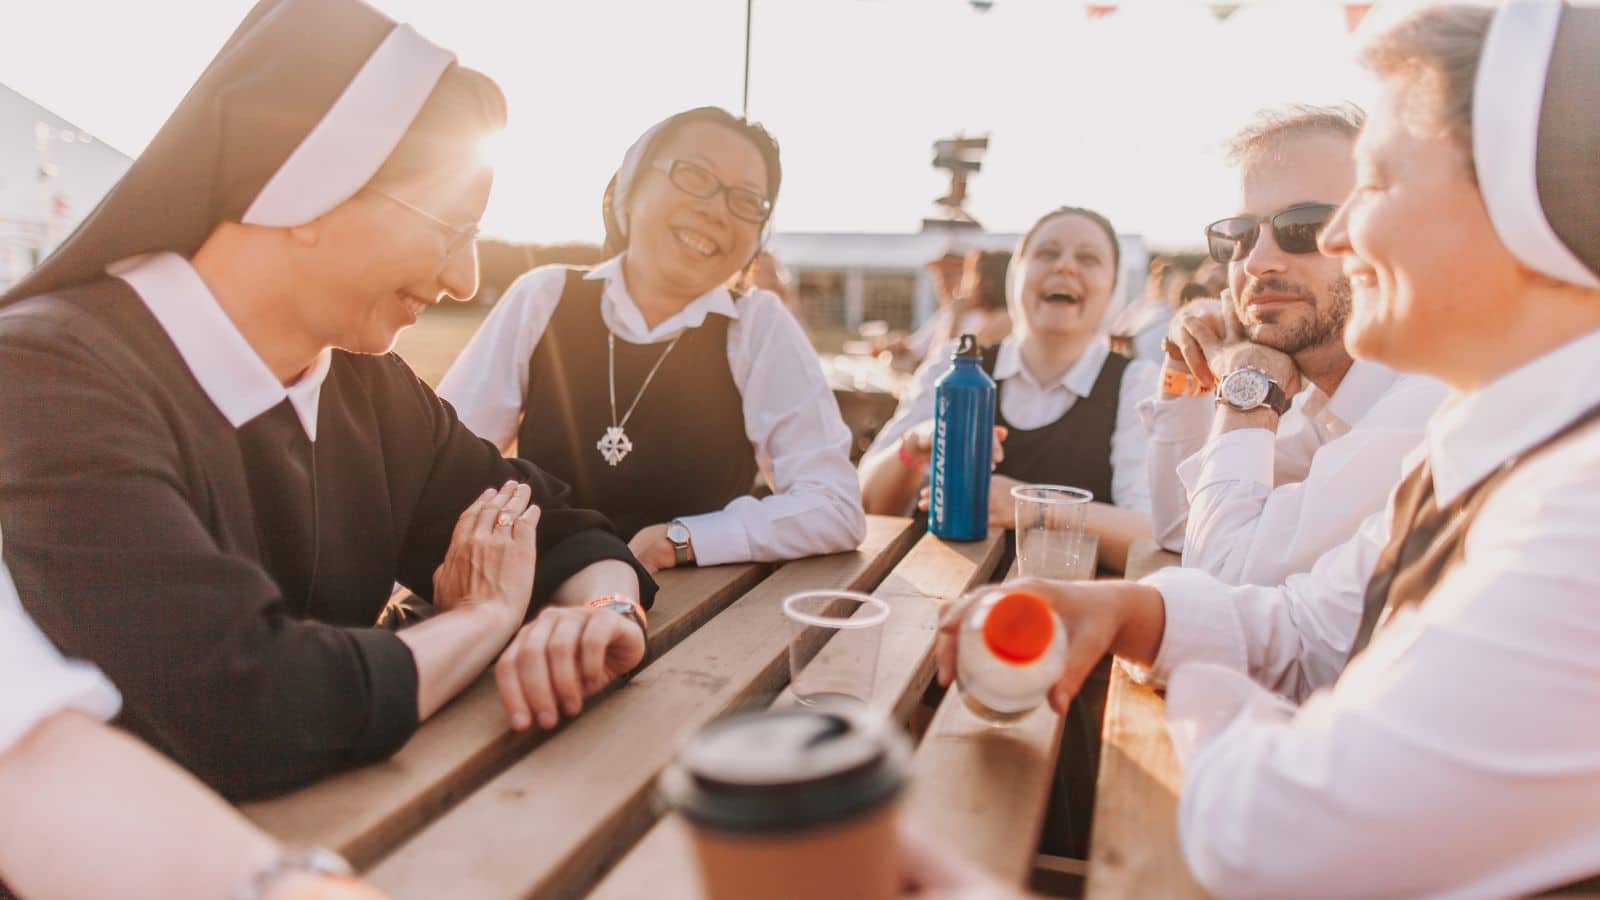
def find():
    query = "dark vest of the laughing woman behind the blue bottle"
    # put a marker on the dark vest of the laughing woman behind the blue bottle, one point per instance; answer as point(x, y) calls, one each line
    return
point(1076, 449)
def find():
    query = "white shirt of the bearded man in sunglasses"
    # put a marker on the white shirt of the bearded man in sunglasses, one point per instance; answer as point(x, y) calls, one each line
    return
point(1255, 507)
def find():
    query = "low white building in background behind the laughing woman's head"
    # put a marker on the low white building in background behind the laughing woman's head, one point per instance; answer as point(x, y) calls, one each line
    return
point(844, 279)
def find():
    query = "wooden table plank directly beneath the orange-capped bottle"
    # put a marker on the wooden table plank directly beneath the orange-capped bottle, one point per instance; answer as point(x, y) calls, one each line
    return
point(983, 790)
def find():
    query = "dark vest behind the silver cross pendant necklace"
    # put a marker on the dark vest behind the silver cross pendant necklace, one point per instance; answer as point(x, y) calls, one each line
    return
point(690, 449)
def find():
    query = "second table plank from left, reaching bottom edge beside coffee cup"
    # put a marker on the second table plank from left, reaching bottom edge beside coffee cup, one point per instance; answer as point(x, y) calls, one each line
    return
point(551, 824)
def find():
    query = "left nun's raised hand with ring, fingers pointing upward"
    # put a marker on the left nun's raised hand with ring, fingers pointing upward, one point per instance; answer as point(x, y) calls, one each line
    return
point(492, 555)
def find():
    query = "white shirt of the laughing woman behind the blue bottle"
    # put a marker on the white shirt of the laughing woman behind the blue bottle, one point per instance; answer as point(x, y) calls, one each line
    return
point(1030, 404)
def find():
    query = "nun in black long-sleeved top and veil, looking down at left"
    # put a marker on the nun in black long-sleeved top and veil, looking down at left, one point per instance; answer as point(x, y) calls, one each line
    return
point(214, 470)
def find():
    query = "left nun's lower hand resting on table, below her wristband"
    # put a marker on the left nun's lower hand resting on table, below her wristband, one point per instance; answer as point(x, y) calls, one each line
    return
point(559, 659)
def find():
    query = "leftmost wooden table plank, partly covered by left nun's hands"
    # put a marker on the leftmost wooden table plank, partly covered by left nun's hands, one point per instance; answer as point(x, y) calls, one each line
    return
point(367, 811)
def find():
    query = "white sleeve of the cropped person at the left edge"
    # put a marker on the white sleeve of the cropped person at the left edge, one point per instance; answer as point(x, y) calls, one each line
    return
point(36, 681)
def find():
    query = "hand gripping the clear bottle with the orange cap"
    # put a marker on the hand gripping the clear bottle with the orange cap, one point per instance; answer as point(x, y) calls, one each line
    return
point(1090, 611)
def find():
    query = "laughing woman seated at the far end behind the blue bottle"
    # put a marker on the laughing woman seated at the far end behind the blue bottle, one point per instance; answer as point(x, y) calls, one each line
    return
point(1066, 401)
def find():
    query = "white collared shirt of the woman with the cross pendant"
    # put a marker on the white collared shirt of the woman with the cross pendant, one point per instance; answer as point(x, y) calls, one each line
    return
point(799, 438)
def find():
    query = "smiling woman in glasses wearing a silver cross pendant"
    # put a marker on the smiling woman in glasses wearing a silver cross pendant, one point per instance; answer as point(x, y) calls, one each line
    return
point(652, 388)
